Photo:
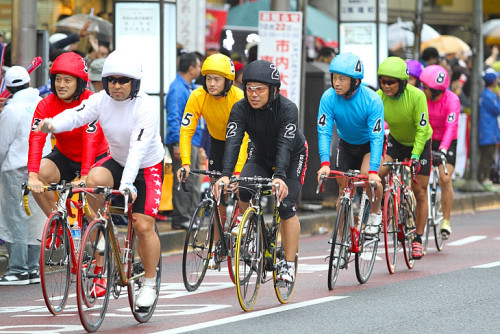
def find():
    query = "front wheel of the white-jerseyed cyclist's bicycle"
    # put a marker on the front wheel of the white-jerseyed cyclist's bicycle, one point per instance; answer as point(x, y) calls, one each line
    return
point(92, 308)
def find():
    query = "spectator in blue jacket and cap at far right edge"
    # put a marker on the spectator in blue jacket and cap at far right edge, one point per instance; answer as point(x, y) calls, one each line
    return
point(489, 132)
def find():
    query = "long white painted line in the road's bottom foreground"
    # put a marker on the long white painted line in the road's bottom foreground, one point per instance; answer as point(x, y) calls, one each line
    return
point(250, 315)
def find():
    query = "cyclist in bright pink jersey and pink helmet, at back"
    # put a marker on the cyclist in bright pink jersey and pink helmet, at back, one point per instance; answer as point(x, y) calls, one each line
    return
point(444, 110)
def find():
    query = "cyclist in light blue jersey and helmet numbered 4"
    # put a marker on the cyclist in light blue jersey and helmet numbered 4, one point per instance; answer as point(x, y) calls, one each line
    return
point(358, 114)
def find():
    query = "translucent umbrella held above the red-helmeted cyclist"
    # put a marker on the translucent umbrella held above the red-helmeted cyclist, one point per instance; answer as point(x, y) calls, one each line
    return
point(102, 28)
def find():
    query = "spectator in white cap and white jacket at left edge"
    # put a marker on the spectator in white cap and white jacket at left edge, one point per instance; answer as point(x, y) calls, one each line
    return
point(19, 231)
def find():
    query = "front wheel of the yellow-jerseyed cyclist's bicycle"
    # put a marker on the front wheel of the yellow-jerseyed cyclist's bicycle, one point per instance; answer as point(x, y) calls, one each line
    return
point(198, 245)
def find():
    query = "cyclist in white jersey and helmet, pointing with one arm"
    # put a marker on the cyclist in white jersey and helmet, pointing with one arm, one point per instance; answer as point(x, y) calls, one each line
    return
point(130, 121)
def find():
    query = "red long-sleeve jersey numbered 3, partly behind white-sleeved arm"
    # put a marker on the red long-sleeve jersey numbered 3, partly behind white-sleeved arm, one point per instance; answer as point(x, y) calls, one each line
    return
point(82, 144)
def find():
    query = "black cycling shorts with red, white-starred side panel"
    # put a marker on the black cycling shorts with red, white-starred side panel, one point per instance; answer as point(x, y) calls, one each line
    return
point(148, 182)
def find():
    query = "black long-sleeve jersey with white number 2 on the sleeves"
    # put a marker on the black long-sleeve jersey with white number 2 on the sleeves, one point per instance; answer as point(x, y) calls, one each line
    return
point(274, 133)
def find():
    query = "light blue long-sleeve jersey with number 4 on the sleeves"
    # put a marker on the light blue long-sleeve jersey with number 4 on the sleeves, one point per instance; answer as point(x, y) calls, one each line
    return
point(359, 120)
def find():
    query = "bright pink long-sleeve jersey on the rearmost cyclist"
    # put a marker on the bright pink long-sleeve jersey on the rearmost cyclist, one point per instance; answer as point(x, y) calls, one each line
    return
point(443, 116)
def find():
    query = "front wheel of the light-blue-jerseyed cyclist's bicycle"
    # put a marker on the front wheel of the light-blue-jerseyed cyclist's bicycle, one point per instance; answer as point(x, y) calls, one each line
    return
point(337, 252)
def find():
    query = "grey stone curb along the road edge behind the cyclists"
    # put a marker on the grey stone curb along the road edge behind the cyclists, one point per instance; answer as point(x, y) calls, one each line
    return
point(316, 222)
